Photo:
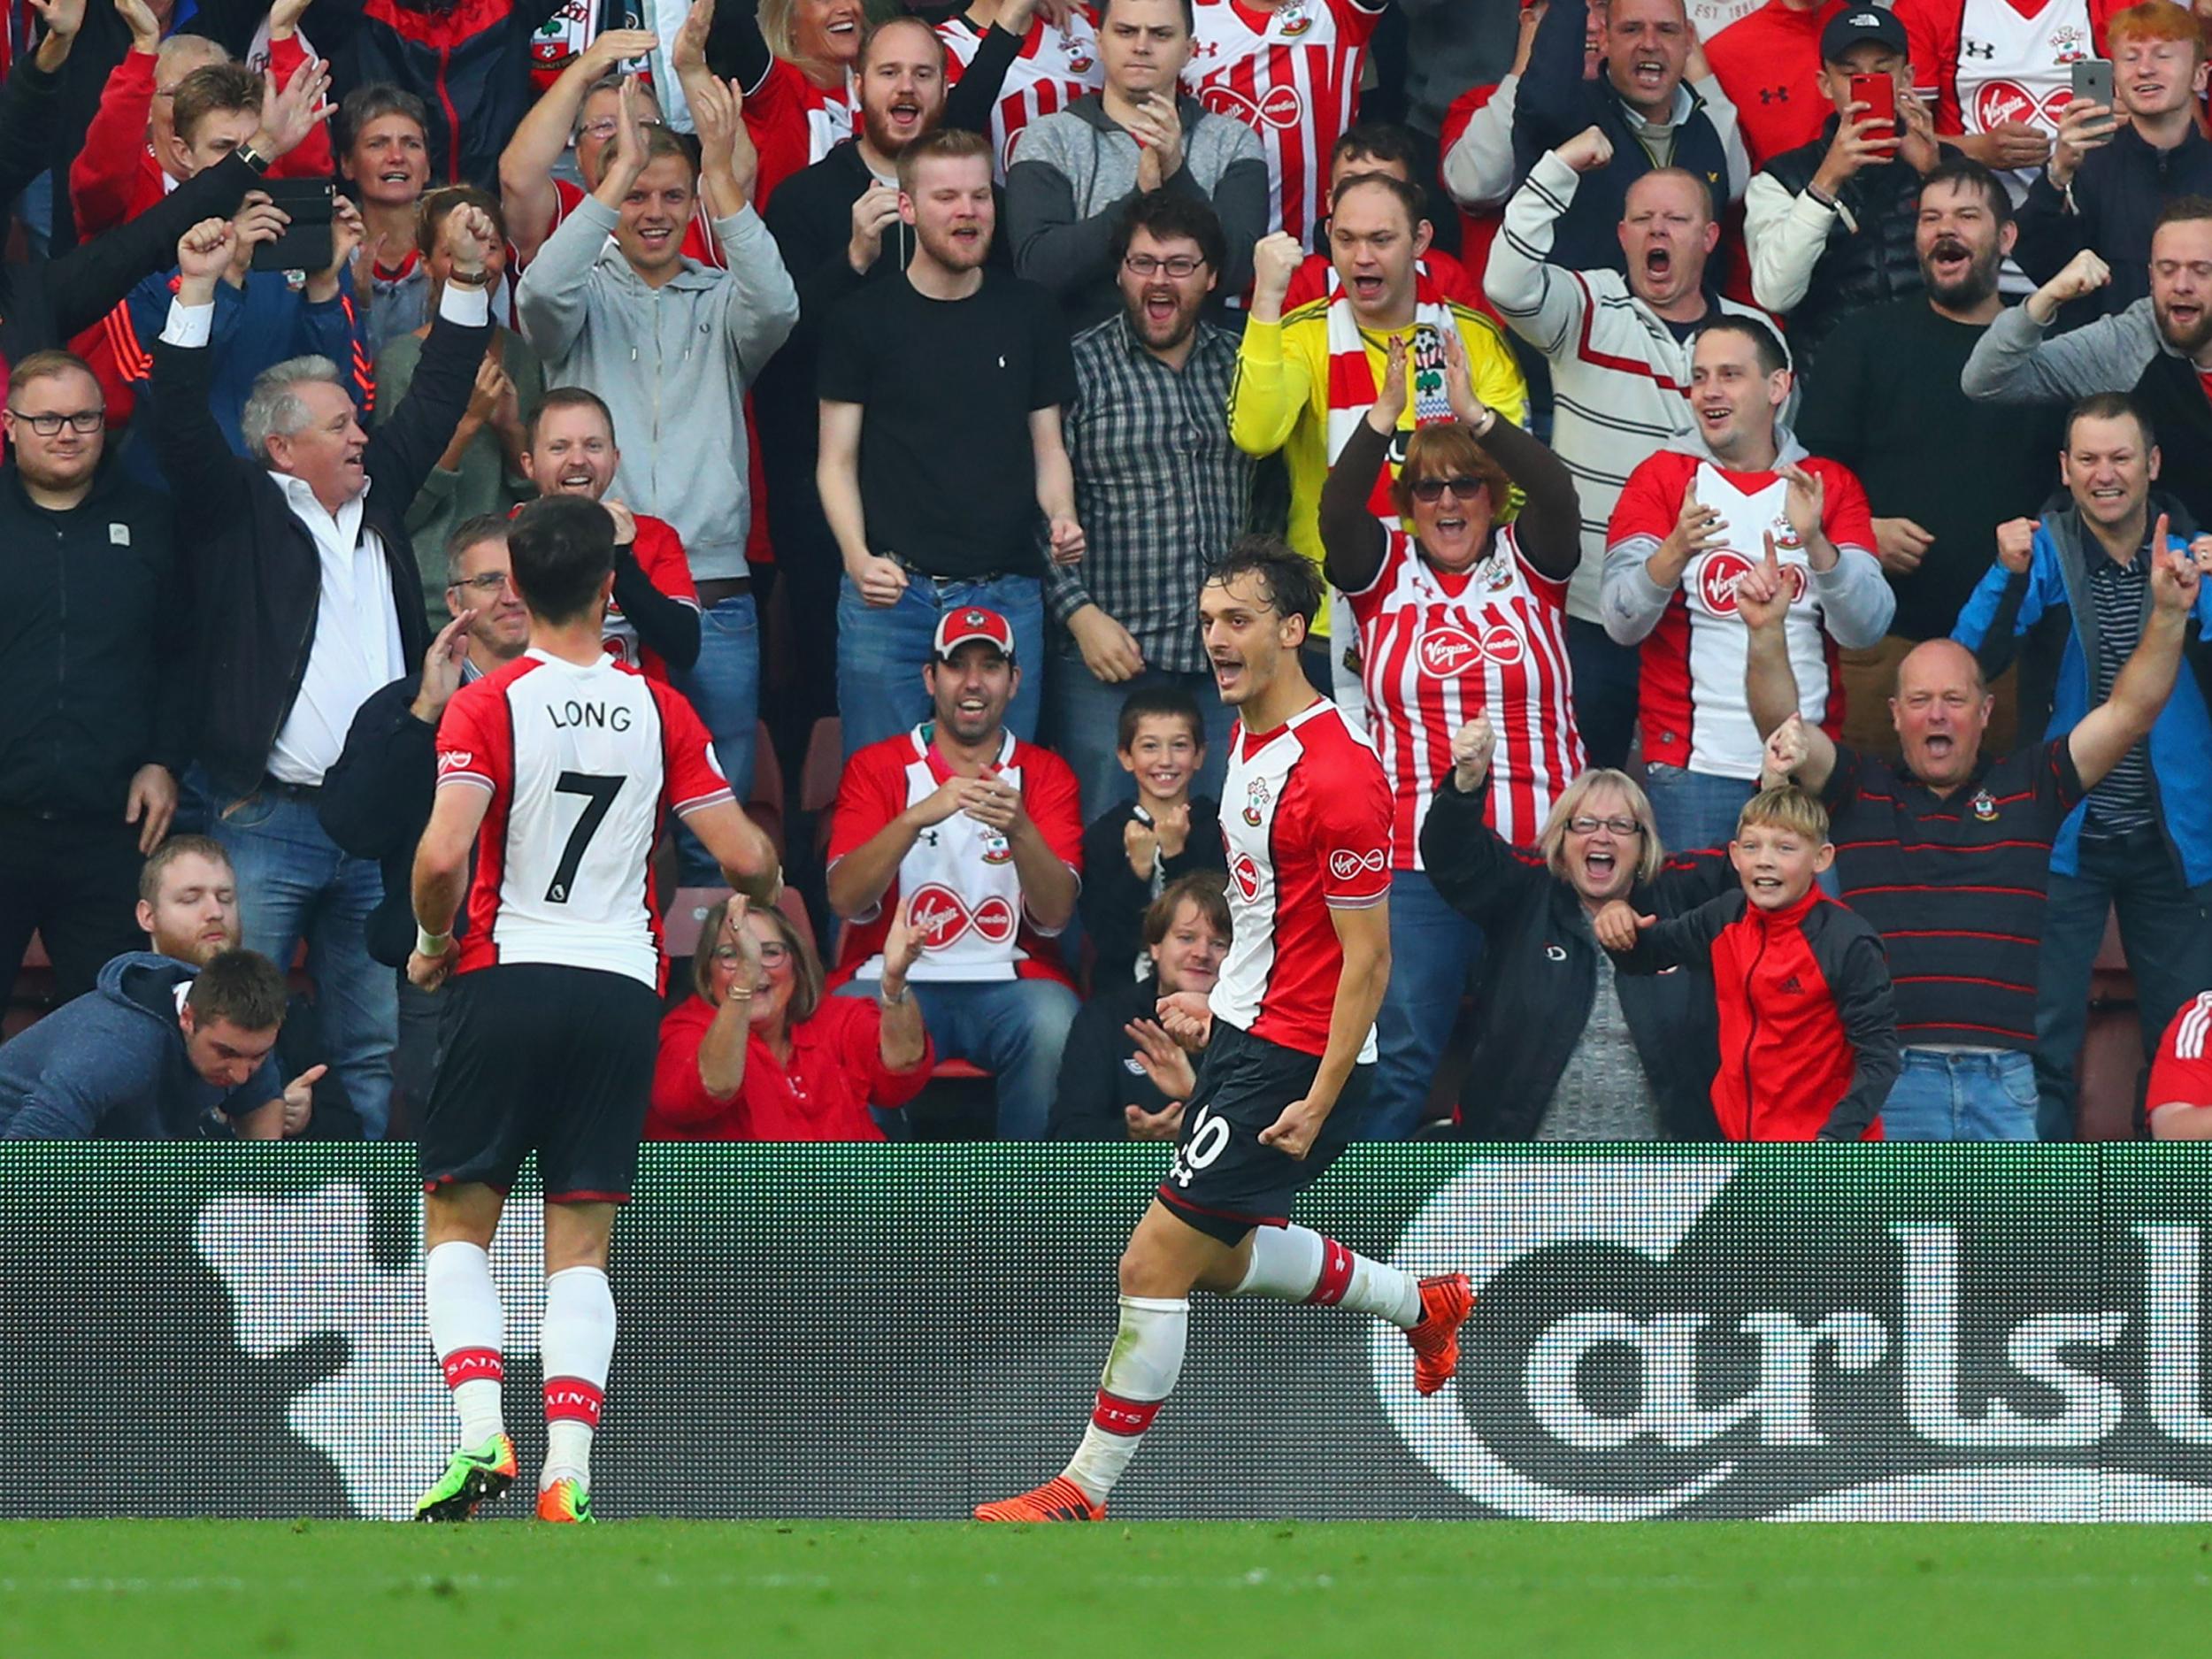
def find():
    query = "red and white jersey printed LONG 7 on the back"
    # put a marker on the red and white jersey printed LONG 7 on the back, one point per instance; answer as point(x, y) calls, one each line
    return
point(581, 764)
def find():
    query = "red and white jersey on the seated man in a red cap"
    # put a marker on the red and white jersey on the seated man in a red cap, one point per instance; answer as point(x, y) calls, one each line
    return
point(959, 879)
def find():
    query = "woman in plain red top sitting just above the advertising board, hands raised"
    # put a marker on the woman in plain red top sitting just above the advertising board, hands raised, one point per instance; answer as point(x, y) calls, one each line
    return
point(764, 1056)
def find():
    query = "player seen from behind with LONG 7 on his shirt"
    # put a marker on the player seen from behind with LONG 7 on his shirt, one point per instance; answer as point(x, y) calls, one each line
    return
point(559, 771)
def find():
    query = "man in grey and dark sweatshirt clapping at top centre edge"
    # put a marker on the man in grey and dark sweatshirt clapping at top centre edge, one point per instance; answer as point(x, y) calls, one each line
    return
point(1076, 171)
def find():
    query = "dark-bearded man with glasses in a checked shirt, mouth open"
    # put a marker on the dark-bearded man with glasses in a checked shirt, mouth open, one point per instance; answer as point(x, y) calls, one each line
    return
point(1158, 488)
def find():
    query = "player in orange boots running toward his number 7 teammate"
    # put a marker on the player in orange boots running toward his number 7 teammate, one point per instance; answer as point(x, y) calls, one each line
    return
point(1306, 822)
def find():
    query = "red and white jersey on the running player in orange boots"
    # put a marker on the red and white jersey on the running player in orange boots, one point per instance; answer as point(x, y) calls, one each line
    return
point(1306, 826)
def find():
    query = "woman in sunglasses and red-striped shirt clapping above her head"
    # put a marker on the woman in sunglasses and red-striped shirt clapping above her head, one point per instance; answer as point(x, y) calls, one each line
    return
point(1463, 616)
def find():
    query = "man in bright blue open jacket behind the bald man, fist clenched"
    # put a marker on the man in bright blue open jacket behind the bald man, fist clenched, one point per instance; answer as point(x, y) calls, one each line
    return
point(2076, 589)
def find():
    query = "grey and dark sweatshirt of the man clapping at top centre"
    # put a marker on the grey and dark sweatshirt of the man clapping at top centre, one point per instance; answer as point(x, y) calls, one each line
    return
point(1076, 171)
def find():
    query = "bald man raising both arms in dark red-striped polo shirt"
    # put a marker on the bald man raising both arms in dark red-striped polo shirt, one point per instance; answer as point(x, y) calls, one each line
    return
point(1948, 853)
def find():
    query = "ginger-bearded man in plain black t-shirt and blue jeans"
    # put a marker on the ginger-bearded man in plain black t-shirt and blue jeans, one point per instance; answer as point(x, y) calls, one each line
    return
point(941, 448)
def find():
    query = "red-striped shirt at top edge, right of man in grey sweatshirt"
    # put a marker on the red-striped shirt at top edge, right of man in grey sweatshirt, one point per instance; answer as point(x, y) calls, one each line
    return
point(1291, 74)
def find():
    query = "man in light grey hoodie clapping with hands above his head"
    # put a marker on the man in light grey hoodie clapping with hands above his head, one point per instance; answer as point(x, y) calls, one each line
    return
point(612, 304)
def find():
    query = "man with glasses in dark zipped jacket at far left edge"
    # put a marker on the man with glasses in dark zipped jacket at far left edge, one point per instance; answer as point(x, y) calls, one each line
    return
point(92, 702)
